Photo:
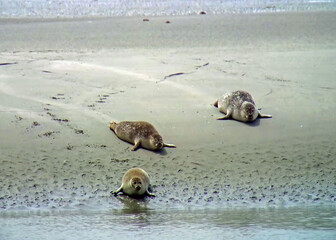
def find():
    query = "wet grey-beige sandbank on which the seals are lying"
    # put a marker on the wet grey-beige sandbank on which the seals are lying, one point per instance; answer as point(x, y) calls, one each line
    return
point(62, 81)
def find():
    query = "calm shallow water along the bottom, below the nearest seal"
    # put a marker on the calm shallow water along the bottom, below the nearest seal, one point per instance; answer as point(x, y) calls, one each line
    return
point(315, 222)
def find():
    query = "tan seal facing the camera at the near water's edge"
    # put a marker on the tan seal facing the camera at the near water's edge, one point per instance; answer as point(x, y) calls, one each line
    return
point(135, 183)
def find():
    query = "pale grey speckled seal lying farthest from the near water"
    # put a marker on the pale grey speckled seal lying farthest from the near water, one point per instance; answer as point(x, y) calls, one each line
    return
point(238, 105)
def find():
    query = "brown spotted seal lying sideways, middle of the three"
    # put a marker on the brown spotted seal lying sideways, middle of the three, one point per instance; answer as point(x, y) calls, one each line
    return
point(140, 134)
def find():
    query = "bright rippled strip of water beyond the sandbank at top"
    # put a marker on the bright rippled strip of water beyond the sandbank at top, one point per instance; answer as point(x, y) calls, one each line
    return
point(81, 8)
